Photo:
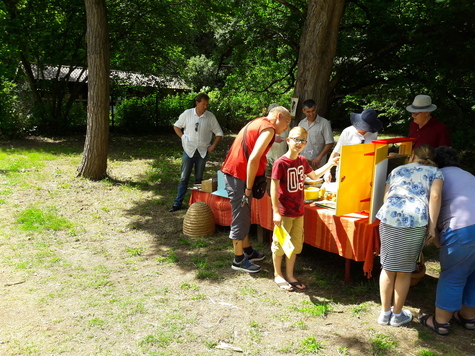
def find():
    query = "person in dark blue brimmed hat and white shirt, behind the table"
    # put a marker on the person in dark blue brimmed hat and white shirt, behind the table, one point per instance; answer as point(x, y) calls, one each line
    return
point(364, 129)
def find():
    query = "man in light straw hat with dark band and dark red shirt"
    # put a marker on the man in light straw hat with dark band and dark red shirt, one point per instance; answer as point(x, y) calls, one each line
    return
point(424, 127)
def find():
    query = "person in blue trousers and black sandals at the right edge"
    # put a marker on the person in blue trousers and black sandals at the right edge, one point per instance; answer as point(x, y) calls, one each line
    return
point(455, 298)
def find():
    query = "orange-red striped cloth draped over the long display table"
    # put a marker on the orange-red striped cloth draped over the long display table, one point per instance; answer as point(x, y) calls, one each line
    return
point(350, 236)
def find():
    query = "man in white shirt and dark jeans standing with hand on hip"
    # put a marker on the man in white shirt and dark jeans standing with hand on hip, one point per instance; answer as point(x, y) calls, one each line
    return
point(195, 127)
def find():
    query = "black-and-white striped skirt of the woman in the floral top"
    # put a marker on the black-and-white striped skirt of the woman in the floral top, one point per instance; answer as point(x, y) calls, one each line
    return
point(401, 247)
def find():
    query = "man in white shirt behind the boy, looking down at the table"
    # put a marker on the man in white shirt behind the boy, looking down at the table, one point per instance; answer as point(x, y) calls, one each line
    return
point(320, 135)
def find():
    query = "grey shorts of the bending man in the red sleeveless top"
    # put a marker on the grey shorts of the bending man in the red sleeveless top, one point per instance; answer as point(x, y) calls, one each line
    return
point(241, 223)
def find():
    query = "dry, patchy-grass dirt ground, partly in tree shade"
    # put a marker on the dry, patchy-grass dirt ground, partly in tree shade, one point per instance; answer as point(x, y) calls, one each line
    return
point(125, 280)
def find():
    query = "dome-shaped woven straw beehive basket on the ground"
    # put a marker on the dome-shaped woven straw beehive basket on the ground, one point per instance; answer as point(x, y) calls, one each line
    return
point(199, 220)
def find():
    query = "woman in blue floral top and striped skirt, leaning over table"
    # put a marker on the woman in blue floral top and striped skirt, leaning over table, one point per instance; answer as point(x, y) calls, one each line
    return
point(410, 210)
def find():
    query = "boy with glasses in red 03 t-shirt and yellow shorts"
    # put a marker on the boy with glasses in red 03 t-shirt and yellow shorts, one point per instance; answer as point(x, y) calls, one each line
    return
point(287, 194)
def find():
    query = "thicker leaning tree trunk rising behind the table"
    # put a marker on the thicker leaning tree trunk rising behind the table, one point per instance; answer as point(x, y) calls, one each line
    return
point(318, 44)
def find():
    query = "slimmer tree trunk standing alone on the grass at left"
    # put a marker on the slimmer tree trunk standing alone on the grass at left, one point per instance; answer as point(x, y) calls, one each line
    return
point(94, 160)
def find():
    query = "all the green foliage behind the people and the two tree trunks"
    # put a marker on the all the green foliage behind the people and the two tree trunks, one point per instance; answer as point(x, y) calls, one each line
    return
point(244, 54)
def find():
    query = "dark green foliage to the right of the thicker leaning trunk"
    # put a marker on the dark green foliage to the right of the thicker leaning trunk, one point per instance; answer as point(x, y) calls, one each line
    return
point(387, 74)
